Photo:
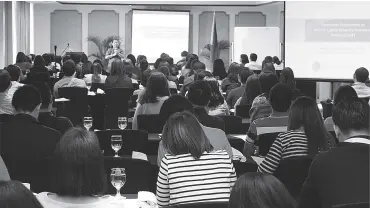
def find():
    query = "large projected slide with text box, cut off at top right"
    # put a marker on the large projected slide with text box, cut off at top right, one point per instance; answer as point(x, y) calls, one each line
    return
point(327, 40)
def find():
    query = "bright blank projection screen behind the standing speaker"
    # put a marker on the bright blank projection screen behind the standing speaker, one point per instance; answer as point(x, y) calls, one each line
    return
point(154, 32)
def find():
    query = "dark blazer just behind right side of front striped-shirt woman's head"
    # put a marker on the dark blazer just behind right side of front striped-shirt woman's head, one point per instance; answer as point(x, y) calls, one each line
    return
point(209, 121)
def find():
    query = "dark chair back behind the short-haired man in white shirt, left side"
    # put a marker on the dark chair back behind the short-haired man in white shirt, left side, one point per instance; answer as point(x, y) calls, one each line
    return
point(77, 107)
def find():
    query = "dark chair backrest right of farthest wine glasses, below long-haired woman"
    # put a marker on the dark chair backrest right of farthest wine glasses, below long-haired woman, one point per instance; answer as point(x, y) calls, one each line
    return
point(151, 123)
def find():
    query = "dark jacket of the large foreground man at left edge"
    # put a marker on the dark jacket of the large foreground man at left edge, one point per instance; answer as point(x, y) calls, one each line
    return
point(24, 137)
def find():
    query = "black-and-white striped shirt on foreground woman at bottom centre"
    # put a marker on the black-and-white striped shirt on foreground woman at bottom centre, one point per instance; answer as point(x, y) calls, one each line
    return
point(183, 179)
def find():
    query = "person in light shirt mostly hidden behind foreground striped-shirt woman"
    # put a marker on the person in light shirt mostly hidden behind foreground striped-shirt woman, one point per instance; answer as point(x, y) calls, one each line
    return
point(178, 103)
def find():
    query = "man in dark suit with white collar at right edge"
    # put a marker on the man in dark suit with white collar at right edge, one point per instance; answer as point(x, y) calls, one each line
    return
point(341, 175)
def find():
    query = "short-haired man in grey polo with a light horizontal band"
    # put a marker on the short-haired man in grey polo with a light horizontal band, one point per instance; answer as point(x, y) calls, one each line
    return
point(280, 99)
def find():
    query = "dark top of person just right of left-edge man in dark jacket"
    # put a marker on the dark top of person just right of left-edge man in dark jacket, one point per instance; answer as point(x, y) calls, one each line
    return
point(60, 124)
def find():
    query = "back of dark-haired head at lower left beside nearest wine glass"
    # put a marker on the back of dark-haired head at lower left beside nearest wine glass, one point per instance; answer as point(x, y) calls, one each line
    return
point(78, 165)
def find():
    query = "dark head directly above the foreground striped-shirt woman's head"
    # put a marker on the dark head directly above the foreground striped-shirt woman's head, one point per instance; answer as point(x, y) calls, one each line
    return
point(174, 104)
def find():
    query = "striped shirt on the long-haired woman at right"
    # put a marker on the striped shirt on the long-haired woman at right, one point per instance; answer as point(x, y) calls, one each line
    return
point(288, 144)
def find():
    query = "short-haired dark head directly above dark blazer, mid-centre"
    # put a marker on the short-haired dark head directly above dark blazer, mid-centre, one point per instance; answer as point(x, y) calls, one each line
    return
point(199, 93)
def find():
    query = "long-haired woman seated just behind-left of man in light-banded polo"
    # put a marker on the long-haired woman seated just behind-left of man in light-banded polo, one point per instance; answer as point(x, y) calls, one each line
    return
point(252, 90)
